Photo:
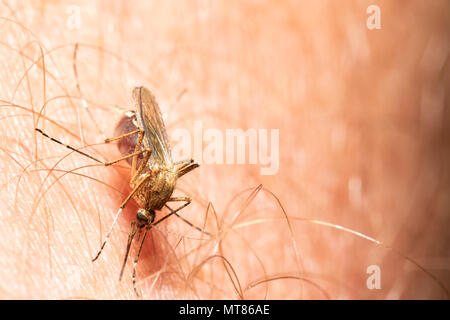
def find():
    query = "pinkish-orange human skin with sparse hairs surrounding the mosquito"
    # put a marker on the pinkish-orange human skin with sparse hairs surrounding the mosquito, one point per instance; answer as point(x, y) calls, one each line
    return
point(363, 144)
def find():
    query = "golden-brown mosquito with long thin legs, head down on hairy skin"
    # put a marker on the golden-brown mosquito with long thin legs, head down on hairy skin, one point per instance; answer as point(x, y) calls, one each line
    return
point(143, 142)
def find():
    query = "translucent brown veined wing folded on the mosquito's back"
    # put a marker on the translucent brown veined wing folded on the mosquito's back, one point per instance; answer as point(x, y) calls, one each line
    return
point(149, 118)
